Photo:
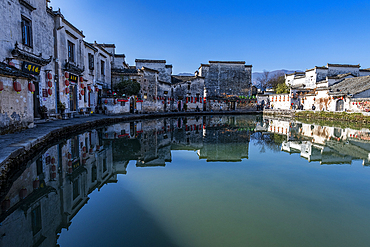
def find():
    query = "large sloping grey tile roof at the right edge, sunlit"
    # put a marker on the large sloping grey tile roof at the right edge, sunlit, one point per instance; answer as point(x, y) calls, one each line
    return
point(350, 86)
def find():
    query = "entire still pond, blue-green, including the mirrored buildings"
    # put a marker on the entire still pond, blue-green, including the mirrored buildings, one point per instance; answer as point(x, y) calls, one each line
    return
point(208, 181)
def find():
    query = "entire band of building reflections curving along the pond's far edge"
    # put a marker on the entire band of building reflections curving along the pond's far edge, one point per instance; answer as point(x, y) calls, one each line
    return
point(42, 199)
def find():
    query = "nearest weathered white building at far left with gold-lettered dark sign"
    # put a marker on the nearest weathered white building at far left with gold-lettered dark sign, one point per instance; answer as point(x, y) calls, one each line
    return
point(27, 68)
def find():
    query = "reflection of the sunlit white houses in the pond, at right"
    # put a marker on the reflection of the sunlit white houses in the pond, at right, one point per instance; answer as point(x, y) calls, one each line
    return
point(325, 144)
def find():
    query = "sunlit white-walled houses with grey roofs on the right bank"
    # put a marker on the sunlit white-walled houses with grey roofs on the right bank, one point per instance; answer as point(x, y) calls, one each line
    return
point(335, 87)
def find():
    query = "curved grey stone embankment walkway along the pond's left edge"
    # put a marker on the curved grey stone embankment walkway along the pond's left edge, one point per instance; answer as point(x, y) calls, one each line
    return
point(19, 147)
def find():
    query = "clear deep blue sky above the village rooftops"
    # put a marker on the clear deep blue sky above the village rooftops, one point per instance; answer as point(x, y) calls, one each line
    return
point(270, 35)
